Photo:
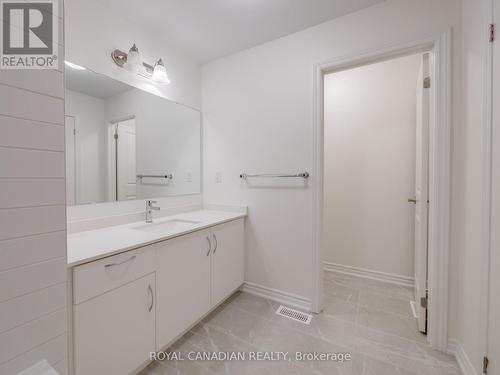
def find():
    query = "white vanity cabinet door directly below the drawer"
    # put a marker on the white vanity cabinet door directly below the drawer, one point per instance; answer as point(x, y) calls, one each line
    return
point(115, 332)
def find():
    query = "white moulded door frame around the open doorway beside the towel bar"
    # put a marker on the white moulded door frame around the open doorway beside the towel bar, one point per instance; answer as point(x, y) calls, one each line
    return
point(439, 171)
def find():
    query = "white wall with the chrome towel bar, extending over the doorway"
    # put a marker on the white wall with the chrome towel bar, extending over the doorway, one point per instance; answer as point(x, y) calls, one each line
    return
point(258, 117)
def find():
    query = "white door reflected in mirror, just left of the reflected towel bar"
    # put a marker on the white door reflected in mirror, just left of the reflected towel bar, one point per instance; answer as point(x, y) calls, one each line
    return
point(126, 163)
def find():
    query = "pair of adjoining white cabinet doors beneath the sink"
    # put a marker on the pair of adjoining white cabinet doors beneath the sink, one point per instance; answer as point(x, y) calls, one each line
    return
point(196, 272)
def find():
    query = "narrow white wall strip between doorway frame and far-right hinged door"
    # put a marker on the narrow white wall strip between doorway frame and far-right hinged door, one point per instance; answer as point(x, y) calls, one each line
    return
point(468, 182)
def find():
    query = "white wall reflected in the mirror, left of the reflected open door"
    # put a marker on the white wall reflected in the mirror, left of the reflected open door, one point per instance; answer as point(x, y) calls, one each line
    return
point(90, 127)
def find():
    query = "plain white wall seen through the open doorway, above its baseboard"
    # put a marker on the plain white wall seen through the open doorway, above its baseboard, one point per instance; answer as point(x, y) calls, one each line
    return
point(369, 164)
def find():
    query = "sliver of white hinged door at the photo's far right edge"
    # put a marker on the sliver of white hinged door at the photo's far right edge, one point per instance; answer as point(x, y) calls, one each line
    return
point(494, 299)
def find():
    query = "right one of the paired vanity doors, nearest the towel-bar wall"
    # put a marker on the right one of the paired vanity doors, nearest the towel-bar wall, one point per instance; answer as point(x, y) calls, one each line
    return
point(227, 259)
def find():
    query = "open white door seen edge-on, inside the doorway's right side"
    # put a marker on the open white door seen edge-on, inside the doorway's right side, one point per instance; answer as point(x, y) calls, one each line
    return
point(422, 191)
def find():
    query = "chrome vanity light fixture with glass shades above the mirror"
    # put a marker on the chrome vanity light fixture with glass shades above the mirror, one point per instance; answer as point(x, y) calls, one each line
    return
point(133, 62)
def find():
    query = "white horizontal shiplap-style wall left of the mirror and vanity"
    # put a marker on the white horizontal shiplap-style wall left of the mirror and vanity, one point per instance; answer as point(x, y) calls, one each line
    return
point(33, 265)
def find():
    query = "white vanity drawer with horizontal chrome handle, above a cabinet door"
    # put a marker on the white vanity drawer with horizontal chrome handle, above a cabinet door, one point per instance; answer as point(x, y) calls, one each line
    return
point(95, 278)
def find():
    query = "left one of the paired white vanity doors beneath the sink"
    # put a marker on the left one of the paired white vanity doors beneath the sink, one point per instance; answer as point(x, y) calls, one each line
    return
point(183, 284)
